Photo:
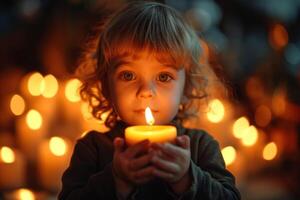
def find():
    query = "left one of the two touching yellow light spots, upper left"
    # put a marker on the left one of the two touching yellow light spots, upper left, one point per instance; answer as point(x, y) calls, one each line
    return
point(35, 84)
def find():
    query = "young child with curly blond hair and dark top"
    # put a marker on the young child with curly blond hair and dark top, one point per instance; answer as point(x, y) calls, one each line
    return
point(146, 55)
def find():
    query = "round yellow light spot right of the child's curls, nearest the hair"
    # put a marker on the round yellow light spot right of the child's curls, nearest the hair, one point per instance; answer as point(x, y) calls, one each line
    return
point(216, 111)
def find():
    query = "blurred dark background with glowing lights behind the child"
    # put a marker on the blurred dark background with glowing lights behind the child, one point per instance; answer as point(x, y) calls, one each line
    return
point(254, 46)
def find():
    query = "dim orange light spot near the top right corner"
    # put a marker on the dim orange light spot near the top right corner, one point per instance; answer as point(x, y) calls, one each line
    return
point(278, 36)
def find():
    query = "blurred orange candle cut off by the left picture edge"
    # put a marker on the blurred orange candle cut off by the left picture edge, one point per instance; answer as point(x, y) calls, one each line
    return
point(12, 168)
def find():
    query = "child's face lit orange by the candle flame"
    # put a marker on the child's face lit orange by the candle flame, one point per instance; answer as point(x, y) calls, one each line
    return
point(146, 82)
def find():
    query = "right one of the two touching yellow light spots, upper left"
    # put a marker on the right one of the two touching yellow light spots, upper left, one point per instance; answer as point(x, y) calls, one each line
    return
point(49, 86)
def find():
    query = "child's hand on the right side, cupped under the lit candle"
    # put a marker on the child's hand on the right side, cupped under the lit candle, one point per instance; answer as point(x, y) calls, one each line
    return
point(172, 162)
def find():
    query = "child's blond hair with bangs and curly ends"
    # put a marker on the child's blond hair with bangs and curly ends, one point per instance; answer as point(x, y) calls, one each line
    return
point(138, 27)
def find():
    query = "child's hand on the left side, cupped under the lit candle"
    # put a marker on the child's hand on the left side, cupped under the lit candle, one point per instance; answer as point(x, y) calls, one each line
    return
point(132, 164)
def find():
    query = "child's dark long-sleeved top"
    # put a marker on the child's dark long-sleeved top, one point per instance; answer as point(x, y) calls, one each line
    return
point(89, 175)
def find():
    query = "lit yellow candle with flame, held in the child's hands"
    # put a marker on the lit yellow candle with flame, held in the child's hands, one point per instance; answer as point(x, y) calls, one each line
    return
point(154, 133)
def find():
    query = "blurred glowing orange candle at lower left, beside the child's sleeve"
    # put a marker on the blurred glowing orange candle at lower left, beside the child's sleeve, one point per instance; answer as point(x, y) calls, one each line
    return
point(53, 159)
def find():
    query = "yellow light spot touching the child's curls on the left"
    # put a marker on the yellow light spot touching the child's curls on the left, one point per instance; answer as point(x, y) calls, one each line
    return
point(72, 90)
